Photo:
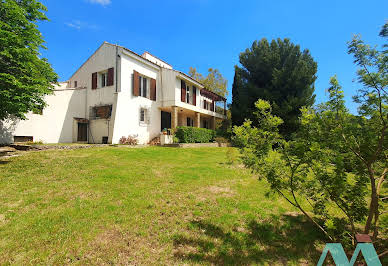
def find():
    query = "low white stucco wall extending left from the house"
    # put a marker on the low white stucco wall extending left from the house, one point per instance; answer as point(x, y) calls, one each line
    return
point(56, 123)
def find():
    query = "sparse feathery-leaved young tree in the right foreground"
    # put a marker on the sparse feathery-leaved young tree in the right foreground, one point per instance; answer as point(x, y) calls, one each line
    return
point(336, 164)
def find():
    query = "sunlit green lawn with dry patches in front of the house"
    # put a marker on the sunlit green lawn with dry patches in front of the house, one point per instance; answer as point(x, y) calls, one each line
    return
point(141, 206)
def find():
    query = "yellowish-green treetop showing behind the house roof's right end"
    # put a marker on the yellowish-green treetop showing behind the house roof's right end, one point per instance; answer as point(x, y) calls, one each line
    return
point(214, 81)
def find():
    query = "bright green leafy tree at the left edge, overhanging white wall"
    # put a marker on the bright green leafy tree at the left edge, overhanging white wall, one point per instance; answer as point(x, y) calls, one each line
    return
point(25, 78)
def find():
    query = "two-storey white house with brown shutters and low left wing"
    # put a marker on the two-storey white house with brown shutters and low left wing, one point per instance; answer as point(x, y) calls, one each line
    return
point(116, 93)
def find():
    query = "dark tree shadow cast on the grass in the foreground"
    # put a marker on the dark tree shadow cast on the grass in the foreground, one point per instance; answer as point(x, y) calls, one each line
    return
point(282, 240)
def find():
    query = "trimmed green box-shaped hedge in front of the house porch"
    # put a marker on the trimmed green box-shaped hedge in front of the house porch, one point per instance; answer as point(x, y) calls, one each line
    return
point(194, 135)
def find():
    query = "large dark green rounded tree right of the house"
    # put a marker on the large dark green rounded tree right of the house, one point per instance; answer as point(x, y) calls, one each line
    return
point(278, 72)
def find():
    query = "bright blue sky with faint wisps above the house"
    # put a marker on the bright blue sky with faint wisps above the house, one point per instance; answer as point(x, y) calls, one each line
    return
point(206, 33)
